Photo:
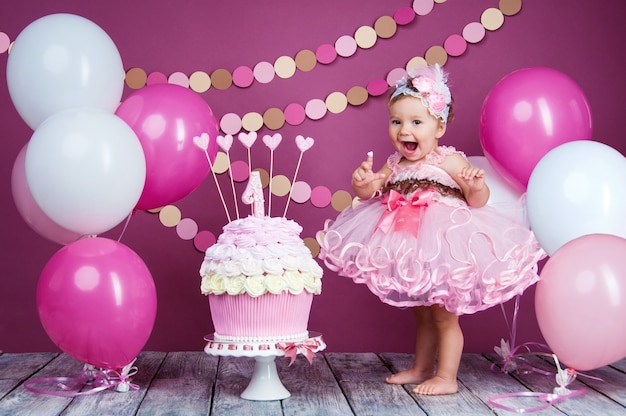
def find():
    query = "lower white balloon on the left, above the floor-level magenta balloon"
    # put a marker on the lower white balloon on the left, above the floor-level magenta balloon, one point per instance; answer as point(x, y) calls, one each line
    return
point(86, 169)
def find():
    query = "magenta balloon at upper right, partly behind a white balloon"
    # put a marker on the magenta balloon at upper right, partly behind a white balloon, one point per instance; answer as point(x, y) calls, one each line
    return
point(526, 114)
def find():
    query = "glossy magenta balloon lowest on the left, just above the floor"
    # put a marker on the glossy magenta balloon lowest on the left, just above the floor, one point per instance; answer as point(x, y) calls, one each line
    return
point(97, 302)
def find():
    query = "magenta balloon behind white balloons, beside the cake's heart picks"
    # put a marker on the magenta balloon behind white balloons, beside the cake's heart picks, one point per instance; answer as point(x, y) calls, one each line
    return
point(166, 118)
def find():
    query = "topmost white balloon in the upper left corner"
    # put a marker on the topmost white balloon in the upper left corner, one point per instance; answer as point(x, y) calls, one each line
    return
point(62, 61)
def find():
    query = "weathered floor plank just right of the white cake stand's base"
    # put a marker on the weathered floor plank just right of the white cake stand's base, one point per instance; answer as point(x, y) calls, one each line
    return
point(314, 390)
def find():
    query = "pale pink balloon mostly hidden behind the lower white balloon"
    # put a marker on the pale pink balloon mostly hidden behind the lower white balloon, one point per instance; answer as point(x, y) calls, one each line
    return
point(30, 210)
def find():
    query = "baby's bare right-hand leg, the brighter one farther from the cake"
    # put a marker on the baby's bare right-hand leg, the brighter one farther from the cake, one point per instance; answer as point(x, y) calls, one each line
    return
point(450, 350)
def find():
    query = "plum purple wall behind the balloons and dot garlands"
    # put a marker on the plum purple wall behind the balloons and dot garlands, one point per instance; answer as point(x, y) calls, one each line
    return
point(585, 41)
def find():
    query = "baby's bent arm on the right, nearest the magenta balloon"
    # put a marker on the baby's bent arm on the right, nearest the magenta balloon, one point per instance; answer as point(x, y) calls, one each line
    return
point(471, 179)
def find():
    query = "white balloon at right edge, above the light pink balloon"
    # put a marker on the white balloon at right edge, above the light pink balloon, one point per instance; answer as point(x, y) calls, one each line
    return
point(576, 189)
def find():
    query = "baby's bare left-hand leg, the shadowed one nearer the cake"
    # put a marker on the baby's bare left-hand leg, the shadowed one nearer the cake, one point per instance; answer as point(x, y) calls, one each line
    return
point(425, 350)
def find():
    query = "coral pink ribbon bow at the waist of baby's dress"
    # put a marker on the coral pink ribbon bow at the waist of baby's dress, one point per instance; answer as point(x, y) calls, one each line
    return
point(398, 214)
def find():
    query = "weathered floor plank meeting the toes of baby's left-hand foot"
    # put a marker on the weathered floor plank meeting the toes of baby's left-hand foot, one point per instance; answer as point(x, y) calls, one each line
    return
point(362, 379)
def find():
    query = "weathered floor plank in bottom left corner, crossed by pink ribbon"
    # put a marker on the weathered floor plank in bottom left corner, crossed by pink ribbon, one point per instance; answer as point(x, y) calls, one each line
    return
point(23, 402)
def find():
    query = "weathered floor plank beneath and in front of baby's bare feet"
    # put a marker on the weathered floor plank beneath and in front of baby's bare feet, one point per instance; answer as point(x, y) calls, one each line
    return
point(462, 403)
